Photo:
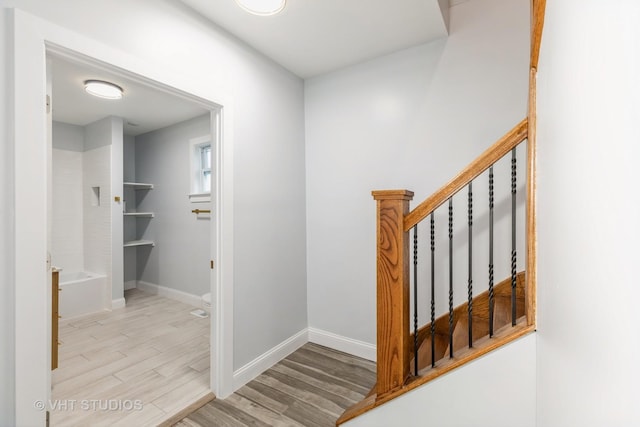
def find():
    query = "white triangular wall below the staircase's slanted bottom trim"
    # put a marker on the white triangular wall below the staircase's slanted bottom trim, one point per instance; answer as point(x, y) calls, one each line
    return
point(497, 390)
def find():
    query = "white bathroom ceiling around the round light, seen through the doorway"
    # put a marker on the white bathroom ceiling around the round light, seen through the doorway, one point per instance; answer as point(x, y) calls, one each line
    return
point(146, 107)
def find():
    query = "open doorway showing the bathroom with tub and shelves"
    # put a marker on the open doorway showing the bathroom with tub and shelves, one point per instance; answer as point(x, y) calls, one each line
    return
point(121, 209)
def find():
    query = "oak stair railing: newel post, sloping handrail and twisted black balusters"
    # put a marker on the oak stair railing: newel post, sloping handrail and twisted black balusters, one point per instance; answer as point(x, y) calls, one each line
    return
point(396, 345)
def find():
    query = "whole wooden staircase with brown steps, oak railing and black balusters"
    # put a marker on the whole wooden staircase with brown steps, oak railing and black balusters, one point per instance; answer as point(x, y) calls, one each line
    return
point(409, 356)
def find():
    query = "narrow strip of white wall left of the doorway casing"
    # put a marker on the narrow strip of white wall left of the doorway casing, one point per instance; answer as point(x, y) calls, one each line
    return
point(7, 278)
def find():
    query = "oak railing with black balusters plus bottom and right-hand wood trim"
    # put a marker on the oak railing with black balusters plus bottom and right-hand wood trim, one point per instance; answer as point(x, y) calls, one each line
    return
point(396, 345)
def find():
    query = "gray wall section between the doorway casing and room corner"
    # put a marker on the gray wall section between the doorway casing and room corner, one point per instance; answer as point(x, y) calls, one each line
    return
point(270, 290)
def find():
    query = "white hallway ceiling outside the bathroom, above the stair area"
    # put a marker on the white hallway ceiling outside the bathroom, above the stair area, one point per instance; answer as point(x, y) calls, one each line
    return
point(312, 37)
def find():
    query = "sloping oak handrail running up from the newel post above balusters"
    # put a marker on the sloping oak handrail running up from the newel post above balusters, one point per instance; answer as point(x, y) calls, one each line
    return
point(482, 163)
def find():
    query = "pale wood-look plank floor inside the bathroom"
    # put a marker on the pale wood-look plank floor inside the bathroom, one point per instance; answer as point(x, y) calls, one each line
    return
point(134, 366)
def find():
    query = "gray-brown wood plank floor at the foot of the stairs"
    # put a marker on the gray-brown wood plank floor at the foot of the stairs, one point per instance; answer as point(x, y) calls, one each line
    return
point(311, 387)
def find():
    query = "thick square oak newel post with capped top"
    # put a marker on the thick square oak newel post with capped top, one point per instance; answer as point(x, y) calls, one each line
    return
point(392, 289)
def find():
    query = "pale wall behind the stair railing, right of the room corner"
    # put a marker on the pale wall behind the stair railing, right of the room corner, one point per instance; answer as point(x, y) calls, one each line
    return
point(408, 120)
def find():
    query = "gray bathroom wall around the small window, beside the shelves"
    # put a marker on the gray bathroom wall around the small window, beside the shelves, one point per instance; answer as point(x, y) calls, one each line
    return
point(180, 259)
